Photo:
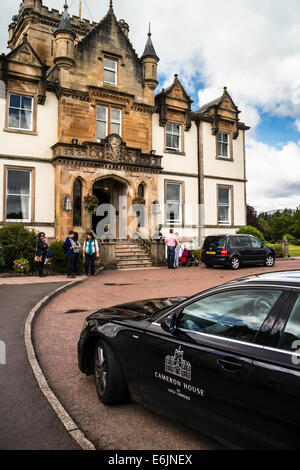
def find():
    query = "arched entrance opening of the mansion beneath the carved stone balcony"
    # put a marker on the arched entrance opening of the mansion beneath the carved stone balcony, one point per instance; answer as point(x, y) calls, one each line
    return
point(114, 191)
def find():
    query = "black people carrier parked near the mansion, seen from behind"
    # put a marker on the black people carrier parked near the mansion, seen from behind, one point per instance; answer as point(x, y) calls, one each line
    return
point(235, 250)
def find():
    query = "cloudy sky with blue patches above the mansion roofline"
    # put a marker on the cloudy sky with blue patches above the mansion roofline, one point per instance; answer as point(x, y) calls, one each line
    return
point(251, 46)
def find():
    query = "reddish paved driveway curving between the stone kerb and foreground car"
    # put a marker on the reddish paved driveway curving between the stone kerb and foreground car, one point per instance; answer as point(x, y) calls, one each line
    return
point(56, 334)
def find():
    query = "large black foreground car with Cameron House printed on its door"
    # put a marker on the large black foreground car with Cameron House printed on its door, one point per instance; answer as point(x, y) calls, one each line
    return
point(225, 362)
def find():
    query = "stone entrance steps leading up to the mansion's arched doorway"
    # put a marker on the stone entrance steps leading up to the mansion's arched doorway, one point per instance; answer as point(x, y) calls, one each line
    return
point(129, 255)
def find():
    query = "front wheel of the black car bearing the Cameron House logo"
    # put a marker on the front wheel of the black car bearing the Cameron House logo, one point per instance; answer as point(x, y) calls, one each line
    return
point(110, 382)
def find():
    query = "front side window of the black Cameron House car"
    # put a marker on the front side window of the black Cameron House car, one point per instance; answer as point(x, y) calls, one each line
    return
point(236, 314)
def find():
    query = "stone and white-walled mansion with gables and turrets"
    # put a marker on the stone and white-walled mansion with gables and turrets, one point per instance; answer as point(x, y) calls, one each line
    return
point(79, 116)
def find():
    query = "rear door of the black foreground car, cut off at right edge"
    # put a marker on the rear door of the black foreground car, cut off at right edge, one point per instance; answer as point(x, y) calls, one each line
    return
point(275, 377)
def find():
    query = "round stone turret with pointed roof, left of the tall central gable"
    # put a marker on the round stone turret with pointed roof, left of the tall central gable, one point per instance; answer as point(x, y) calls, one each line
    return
point(65, 39)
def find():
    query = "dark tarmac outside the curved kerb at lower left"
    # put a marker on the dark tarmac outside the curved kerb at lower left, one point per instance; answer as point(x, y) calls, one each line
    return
point(27, 421)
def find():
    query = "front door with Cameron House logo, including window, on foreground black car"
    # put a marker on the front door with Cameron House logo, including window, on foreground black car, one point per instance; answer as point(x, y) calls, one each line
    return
point(199, 374)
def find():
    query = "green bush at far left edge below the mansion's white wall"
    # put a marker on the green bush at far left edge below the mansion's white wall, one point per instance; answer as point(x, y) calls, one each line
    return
point(17, 242)
